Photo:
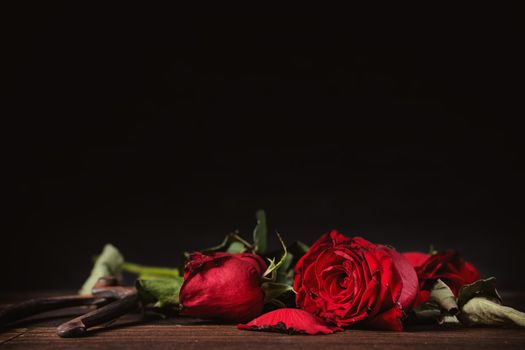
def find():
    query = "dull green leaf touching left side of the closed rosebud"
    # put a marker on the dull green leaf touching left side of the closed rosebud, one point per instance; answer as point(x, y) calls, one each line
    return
point(160, 292)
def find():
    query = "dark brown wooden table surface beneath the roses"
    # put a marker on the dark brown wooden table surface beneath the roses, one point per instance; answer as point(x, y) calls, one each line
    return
point(131, 332)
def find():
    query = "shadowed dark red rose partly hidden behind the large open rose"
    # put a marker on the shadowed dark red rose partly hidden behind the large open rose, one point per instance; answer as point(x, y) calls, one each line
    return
point(447, 266)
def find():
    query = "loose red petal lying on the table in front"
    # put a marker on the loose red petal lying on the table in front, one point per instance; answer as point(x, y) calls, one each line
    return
point(291, 321)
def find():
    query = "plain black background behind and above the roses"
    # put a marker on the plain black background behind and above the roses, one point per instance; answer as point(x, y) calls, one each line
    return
point(161, 130)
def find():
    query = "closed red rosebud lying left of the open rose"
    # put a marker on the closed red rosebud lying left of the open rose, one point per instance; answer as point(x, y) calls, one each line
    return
point(223, 286)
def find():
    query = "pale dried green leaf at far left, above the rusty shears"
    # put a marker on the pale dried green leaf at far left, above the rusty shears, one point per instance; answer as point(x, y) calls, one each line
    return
point(108, 263)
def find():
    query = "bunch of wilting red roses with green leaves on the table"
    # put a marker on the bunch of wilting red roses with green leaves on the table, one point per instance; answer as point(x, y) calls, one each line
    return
point(339, 282)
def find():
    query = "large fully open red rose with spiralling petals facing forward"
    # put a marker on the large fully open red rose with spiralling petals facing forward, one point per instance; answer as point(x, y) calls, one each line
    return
point(349, 280)
